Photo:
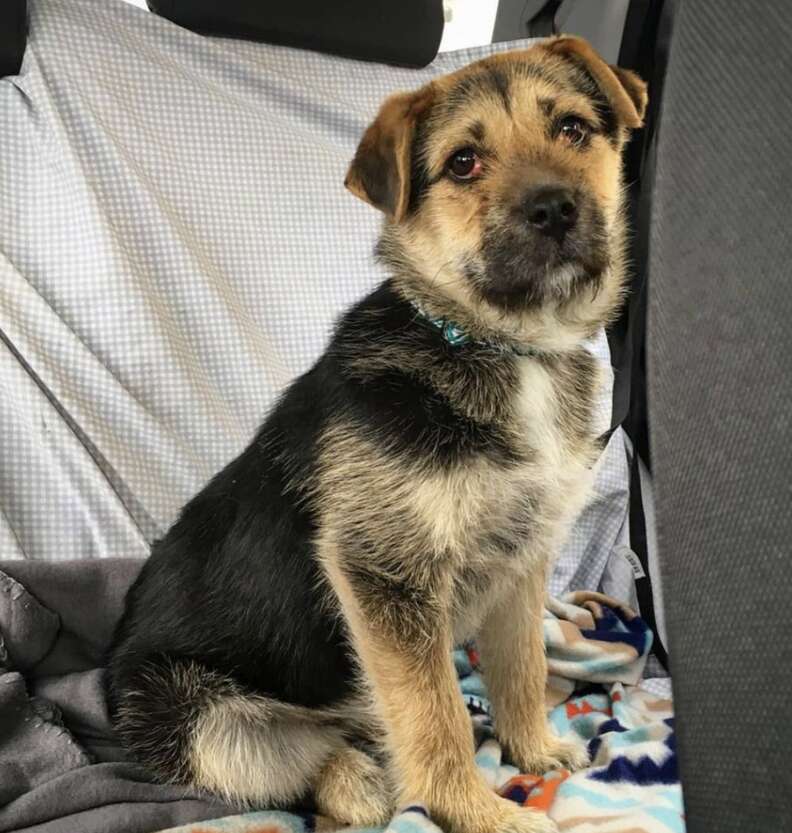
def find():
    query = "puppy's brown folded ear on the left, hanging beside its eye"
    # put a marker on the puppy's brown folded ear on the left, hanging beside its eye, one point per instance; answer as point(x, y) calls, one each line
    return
point(380, 172)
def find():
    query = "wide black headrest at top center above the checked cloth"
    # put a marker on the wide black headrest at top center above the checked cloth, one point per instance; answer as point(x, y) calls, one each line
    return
point(406, 33)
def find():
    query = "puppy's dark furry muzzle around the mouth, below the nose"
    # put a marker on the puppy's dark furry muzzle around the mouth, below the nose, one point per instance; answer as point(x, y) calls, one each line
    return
point(516, 269)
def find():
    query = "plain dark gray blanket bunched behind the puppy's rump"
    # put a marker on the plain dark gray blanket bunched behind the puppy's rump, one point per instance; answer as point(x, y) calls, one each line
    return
point(61, 770)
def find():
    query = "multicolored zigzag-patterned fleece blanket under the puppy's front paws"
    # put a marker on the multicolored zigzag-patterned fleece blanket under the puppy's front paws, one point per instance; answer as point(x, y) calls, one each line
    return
point(596, 651)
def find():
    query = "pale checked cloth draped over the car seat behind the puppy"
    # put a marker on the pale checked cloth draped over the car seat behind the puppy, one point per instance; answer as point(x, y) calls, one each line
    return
point(175, 244)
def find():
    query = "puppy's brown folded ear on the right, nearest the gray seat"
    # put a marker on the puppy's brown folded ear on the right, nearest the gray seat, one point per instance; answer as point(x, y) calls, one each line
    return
point(625, 91)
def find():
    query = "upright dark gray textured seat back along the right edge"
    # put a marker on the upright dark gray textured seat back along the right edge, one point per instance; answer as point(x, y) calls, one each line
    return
point(720, 396)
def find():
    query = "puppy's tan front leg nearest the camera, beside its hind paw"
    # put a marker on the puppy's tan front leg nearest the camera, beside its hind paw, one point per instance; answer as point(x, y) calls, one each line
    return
point(402, 636)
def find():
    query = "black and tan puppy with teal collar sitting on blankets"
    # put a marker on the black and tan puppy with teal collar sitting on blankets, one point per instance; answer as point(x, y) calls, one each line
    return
point(290, 638)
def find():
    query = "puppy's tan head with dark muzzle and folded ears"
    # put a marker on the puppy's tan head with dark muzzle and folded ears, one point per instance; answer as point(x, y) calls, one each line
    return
point(501, 186)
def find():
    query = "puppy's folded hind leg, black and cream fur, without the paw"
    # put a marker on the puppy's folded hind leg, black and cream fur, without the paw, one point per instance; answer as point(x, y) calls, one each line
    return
point(192, 725)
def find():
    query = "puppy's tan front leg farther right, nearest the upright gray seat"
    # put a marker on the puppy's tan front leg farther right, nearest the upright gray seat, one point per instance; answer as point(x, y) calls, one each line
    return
point(511, 644)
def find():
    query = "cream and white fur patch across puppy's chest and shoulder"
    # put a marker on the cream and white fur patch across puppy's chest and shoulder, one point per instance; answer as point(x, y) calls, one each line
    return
point(474, 526)
